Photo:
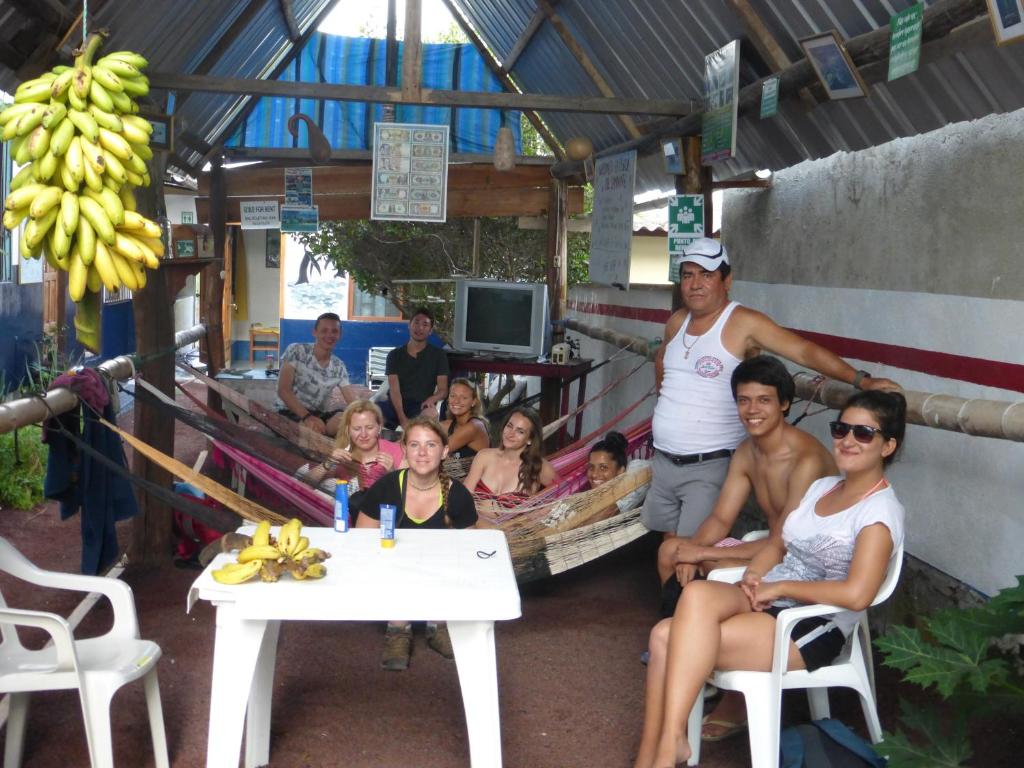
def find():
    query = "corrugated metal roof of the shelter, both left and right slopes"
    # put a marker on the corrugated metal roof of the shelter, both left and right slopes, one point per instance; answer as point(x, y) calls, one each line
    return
point(653, 49)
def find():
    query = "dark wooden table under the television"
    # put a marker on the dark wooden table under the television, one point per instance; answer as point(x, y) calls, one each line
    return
point(556, 381)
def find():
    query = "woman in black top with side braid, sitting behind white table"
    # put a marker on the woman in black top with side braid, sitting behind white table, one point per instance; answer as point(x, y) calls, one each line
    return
point(425, 498)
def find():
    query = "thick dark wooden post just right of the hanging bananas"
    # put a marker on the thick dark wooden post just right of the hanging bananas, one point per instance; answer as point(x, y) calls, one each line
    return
point(153, 309)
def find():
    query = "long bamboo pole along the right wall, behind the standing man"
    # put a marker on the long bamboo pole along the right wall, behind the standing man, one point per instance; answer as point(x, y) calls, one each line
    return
point(975, 416)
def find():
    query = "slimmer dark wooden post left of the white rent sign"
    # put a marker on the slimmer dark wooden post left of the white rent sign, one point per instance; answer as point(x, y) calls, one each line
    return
point(212, 301)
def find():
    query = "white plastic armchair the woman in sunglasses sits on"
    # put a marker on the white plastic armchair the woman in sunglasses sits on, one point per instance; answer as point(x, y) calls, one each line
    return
point(763, 691)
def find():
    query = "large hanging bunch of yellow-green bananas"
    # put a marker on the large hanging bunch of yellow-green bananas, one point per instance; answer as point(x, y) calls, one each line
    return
point(83, 150)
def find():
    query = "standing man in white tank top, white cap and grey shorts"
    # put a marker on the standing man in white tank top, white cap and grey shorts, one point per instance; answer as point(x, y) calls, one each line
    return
point(696, 425)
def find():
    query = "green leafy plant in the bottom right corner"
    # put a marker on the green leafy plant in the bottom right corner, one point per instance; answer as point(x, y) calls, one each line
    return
point(972, 657)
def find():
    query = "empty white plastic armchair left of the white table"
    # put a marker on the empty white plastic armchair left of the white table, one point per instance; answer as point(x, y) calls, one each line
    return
point(97, 667)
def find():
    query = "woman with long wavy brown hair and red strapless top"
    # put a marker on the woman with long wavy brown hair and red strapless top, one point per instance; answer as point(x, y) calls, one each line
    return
point(517, 471)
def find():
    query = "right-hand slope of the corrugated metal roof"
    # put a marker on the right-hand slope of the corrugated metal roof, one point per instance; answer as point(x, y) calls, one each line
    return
point(657, 49)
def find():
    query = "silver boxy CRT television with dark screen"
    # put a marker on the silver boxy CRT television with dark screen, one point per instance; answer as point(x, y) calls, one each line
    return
point(502, 319)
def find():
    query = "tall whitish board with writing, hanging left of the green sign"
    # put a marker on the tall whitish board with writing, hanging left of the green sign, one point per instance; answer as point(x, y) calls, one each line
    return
point(612, 228)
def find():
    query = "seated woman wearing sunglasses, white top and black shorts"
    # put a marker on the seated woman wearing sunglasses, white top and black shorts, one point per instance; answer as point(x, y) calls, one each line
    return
point(834, 548)
